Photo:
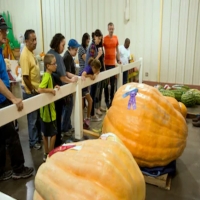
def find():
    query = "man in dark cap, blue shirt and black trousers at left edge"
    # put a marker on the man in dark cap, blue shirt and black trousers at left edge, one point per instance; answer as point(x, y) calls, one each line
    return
point(9, 138)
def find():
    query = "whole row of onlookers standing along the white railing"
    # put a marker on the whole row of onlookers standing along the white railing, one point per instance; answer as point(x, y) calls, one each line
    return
point(54, 119)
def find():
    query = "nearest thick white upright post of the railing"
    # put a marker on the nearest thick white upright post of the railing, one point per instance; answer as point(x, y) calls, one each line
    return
point(78, 111)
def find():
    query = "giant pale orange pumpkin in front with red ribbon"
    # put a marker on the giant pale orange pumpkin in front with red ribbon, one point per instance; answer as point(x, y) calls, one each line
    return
point(93, 169)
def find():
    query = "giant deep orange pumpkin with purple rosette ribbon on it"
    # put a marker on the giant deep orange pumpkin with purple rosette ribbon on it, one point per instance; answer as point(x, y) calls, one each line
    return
point(154, 132)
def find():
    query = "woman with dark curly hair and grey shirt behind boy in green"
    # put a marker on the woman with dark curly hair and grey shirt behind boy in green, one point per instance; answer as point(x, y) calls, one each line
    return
point(59, 78)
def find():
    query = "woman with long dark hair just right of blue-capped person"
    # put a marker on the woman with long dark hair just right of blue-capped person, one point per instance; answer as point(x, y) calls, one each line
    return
point(83, 50)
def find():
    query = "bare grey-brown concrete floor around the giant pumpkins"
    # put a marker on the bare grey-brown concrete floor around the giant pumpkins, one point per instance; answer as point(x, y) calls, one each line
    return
point(185, 185)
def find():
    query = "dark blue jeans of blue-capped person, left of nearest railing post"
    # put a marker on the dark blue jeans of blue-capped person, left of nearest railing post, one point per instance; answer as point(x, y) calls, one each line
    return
point(66, 114)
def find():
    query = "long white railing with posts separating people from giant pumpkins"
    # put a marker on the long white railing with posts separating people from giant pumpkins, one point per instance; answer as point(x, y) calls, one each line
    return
point(10, 113)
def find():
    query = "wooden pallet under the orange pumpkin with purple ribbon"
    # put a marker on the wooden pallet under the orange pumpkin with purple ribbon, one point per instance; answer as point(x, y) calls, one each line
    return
point(163, 181)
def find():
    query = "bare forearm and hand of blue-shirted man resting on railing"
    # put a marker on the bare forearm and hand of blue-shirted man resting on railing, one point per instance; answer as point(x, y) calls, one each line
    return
point(6, 92)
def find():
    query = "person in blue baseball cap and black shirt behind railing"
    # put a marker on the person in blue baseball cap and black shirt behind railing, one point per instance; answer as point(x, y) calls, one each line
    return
point(70, 72)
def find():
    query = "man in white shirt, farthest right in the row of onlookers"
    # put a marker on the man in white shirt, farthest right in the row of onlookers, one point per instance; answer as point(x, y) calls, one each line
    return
point(124, 53)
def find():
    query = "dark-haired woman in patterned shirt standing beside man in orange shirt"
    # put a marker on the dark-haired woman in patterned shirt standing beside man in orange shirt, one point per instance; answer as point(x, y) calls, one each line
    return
point(96, 53)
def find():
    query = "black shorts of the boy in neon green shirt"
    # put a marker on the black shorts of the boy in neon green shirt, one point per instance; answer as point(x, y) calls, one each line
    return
point(48, 129)
